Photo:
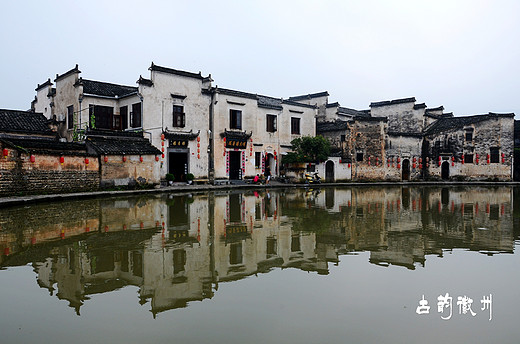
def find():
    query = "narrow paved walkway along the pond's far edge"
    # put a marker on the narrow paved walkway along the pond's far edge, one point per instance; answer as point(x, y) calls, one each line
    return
point(183, 188)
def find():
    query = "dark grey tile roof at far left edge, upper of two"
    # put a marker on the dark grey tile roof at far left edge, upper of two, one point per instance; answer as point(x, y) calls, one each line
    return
point(17, 121)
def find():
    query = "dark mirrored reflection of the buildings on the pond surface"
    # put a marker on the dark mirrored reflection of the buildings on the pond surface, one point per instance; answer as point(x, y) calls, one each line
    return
point(178, 248)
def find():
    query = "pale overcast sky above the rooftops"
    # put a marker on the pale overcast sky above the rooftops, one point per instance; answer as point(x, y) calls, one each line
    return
point(462, 54)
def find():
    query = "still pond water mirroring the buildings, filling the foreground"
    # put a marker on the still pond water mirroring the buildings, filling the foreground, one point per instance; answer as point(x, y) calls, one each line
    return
point(328, 265)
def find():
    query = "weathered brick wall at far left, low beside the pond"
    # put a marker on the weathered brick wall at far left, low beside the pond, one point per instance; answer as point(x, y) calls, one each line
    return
point(18, 175)
